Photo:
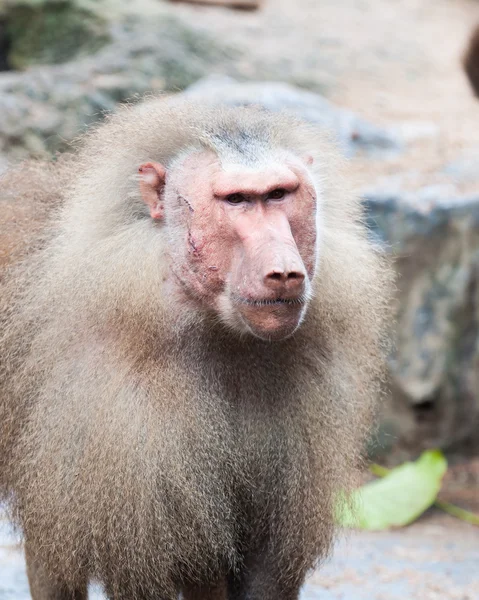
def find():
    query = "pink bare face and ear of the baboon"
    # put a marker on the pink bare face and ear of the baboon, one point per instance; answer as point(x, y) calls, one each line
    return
point(243, 240)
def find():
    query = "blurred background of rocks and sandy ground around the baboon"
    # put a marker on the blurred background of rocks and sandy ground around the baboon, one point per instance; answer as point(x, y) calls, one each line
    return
point(386, 77)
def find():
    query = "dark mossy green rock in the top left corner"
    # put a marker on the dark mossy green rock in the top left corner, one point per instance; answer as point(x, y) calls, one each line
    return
point(52, 31)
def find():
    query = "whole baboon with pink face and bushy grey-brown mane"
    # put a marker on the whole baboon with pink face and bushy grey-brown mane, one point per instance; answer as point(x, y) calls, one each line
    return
point(191, 356)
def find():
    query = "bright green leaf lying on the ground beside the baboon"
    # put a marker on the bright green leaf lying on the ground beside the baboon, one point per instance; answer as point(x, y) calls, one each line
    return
point(399, 498)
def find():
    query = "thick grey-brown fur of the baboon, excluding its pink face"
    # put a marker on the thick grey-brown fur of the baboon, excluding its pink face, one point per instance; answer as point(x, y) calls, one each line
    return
point(146, 445)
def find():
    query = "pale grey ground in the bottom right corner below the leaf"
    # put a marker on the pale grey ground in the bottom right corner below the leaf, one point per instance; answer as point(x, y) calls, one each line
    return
point(434, 559)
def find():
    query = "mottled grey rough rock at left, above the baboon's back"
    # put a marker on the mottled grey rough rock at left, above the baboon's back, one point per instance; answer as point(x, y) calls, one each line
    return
point(45, 108)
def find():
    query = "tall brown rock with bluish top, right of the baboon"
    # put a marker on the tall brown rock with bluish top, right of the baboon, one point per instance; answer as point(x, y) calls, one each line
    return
point(434, 371)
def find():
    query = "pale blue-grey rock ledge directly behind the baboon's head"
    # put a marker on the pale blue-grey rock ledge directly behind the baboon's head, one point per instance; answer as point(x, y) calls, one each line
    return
point(353, 133)
